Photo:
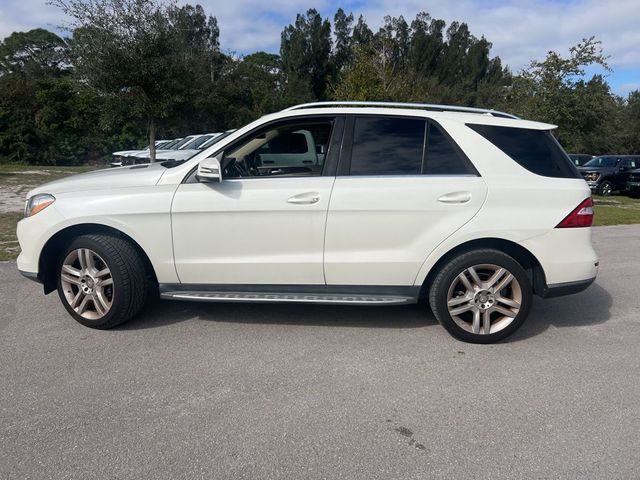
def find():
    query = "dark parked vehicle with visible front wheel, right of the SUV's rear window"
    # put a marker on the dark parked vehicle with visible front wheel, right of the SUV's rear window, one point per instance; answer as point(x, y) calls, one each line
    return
point(608, 173)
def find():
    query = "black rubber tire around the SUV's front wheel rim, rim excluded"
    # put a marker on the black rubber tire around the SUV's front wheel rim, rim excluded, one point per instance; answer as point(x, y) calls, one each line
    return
point(130, 286)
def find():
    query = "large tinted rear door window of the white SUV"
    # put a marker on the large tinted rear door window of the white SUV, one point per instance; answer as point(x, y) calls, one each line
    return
point(387, 146)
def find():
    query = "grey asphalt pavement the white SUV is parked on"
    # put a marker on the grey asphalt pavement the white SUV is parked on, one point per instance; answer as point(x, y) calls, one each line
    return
point(254, 391)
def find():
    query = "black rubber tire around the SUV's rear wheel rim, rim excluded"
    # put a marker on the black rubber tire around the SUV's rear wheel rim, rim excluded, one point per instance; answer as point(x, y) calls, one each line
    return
point(446, 279)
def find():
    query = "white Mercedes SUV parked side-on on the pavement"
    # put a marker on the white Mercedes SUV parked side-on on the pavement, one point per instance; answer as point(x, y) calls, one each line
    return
point(473, 210)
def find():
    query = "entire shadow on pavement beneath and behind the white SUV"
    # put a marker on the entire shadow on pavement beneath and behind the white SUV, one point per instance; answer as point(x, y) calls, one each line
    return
point(587, 308)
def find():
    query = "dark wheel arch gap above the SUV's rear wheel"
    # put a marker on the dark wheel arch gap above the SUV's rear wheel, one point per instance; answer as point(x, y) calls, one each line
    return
point(523, 256)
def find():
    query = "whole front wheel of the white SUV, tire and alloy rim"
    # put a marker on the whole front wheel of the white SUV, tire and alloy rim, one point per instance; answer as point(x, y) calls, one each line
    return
point(101, 280)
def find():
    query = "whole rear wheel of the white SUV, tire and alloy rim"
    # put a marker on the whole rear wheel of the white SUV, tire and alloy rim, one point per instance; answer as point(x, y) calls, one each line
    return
point(482, 296)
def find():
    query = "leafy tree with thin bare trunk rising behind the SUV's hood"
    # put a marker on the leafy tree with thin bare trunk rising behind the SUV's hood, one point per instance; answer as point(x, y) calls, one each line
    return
point(139, 50)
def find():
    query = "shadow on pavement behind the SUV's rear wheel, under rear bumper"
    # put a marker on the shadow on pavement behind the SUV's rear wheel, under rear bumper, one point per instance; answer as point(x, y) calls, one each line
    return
point(591, 307)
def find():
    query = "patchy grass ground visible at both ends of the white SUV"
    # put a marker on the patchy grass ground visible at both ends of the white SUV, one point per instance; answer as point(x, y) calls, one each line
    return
point(16, 181)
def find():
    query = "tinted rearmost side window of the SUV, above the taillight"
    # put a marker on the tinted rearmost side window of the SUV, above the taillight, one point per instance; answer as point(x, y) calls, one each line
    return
point(535, 150)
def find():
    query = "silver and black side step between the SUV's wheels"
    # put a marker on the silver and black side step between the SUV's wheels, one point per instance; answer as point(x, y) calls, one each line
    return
point(271, 297)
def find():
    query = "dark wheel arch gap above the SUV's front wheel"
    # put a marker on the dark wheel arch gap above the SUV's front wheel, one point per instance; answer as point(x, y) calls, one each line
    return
point(52, 248)
